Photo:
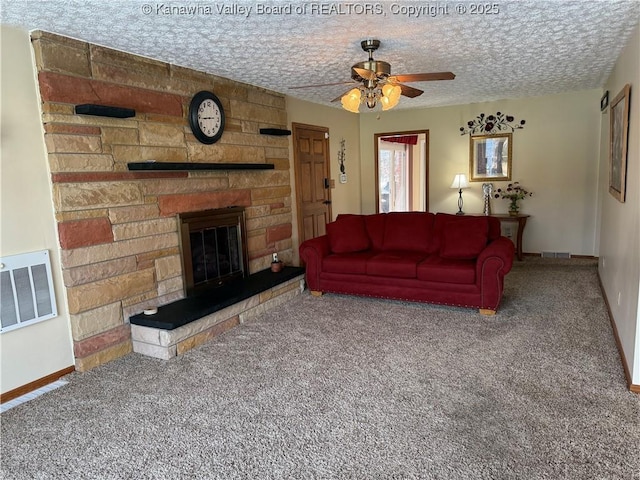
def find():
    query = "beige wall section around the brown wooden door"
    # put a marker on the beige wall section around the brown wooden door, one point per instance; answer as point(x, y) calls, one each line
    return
point(345, 197)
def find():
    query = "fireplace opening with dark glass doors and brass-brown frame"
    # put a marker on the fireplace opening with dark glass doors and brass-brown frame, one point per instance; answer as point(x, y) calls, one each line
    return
point(214, 251)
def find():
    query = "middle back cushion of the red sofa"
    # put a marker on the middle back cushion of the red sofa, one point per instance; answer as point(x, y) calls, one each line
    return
point(408, 231)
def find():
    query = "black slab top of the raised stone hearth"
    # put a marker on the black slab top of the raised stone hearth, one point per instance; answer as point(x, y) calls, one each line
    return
point(190, 309)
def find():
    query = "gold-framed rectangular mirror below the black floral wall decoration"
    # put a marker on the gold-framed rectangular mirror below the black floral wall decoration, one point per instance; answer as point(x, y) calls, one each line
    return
point(490, 157)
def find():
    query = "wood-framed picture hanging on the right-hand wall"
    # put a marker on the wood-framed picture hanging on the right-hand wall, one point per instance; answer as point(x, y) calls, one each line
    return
point(618, 134)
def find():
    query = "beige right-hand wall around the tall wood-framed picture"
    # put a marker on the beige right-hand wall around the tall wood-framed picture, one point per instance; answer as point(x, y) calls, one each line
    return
point(620, 222)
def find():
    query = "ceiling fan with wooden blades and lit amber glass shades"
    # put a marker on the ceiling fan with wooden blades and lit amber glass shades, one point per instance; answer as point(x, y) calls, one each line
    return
point(376, 84)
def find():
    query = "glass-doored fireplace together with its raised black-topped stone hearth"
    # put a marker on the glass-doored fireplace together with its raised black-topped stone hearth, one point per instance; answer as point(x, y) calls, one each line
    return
point(220, 292)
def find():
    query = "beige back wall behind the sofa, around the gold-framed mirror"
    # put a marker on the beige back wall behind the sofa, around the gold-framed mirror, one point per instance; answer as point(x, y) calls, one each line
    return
point(555, 156)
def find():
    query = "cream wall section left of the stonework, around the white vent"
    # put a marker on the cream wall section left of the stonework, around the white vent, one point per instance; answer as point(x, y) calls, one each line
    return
point(26, 210)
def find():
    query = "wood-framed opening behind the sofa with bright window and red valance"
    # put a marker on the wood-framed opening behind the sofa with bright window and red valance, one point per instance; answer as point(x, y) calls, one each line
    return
point(402, 171)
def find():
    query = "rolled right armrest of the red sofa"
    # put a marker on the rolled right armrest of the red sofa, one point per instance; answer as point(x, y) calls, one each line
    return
point(493, 263)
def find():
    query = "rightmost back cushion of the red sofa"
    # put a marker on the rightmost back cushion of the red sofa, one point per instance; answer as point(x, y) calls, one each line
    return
point(464, 239)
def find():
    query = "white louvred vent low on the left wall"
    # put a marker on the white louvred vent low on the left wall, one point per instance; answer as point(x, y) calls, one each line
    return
point(26, 290)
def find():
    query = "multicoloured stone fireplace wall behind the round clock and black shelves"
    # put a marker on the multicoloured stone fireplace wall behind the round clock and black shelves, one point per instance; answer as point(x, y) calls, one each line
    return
point(118, 229)
